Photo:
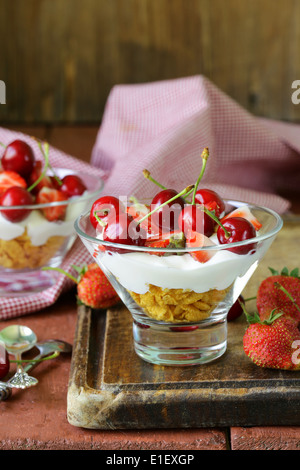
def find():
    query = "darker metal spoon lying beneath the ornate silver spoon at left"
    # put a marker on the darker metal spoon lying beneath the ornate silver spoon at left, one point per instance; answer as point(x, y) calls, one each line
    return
point(45, 349)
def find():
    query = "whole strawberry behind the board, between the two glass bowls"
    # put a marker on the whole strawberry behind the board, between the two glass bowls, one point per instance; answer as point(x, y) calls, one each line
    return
point(94, 289)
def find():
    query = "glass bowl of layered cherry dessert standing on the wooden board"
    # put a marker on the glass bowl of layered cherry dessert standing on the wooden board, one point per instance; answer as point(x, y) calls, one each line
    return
point(179, 261)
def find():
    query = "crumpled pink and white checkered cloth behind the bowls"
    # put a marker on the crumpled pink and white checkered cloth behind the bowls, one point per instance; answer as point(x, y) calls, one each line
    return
point(164, 126)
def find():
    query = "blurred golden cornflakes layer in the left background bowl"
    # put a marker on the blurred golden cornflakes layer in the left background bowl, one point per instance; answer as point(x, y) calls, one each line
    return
point(19, 253)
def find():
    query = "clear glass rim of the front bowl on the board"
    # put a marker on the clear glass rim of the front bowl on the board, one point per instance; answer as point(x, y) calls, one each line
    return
point(135, 248)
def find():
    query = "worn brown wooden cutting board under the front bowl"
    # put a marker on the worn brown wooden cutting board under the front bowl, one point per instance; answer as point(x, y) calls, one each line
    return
point(110, 387)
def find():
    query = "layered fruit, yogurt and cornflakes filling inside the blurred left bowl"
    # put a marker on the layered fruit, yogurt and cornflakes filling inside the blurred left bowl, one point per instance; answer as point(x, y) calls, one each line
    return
point(37, 207)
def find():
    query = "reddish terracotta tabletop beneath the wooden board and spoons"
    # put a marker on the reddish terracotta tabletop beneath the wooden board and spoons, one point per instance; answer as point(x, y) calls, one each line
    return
point(36, 418)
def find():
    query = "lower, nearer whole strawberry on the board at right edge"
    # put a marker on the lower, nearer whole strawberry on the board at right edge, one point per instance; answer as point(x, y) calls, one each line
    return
point(273, 342)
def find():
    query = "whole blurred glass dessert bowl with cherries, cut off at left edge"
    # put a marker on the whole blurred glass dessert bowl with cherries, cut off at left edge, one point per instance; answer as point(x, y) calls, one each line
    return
point(38, 207)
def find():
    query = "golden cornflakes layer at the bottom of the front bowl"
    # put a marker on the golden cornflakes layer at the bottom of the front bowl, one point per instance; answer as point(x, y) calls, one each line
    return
point(178, 305)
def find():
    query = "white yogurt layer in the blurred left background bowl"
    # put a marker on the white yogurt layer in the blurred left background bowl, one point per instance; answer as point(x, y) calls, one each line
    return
point(39, 229)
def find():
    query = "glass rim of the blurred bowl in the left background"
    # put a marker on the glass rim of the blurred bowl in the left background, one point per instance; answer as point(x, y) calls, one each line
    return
point(74, 199)
